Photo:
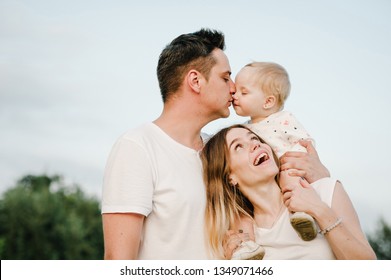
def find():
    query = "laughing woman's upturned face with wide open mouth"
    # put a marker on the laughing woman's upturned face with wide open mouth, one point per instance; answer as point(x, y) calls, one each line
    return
point(251, 161)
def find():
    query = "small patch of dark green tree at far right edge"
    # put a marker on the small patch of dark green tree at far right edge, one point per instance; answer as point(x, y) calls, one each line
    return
point(381, 240)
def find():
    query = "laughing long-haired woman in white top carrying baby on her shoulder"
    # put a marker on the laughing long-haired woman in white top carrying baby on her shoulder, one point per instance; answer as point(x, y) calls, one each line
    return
point(240, 172)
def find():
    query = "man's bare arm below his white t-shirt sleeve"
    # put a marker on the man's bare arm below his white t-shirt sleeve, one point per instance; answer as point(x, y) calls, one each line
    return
point(122, 235)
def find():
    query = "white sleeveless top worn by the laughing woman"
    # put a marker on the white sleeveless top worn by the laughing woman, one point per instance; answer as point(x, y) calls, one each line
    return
point(281, 242)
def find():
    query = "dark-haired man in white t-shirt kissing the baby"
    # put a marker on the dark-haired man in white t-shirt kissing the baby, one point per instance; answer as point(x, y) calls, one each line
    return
point(153, 194)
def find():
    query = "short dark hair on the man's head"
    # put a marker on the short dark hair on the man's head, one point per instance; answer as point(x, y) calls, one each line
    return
point(192, 50)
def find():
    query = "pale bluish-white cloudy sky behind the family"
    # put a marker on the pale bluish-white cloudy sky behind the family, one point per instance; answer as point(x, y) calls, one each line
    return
point(75, 75)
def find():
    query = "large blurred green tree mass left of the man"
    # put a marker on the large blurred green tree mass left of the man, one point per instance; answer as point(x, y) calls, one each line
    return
point(42, 218)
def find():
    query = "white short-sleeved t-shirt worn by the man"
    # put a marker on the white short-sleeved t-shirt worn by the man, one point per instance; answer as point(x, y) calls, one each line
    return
point(149, 173)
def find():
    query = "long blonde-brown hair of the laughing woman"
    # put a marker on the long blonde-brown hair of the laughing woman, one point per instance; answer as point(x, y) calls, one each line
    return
point(225, 202)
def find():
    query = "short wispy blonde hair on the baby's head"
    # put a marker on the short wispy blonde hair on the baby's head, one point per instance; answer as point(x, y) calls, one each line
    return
point(273, 80)
